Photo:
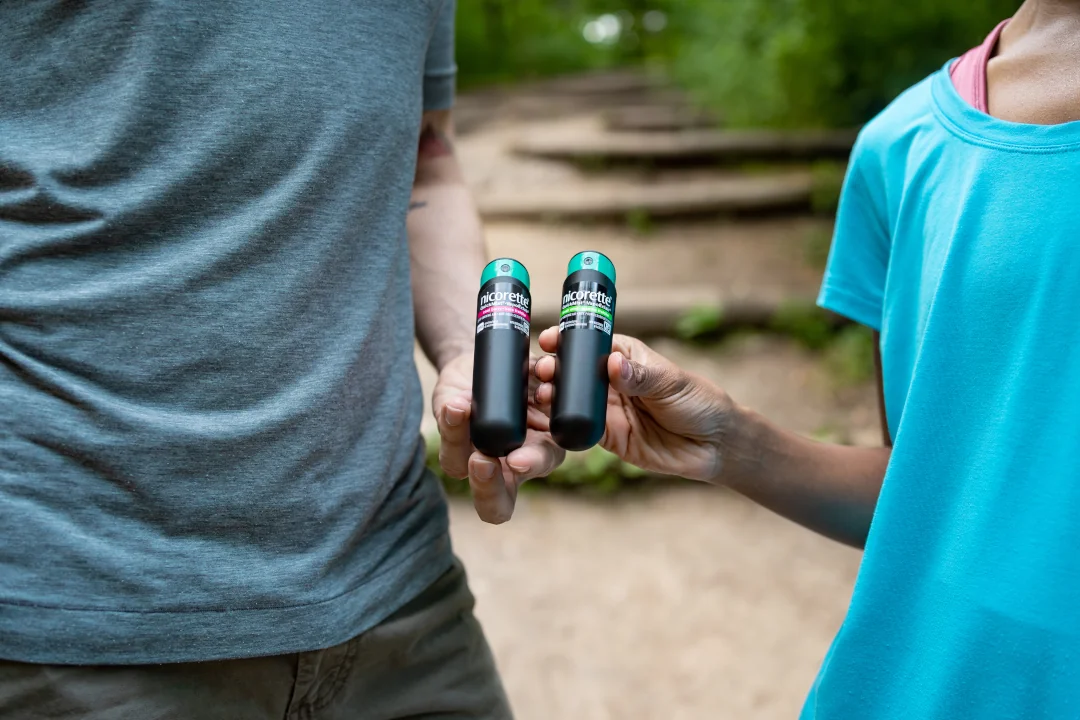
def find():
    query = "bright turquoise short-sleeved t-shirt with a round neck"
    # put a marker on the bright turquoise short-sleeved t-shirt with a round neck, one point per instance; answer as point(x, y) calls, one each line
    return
point(958, 238)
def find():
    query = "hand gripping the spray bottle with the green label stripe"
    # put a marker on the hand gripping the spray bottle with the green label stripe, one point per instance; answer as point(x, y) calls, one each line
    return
point(659, 418)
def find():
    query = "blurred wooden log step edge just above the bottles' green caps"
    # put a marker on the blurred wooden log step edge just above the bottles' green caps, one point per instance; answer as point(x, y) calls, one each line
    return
point(614, 199)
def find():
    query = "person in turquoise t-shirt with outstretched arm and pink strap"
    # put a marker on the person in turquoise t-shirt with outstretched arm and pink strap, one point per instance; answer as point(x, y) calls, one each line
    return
point(957, 242)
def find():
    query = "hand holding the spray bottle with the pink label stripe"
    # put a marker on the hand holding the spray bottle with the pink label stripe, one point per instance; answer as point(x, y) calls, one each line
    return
point(494, 482)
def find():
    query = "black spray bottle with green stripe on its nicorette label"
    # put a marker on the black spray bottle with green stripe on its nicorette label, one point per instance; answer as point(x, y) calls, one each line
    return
point(579, 407)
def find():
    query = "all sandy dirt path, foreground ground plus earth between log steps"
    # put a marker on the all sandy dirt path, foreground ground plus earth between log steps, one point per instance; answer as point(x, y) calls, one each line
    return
point(685, 604)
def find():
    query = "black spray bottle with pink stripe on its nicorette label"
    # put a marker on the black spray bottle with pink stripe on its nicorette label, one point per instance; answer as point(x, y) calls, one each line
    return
point(502, 359)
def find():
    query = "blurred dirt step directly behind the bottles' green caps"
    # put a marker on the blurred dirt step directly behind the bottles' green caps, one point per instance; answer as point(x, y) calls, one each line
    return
point(748, 269)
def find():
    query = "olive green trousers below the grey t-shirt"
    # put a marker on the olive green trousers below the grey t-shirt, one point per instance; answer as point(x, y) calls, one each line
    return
point(428, 662)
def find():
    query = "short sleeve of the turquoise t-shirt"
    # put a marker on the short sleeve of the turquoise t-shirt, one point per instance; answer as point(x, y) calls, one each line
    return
point(859, 260)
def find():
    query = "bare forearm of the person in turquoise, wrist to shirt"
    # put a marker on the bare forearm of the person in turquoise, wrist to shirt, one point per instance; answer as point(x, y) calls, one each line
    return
point(831, 490)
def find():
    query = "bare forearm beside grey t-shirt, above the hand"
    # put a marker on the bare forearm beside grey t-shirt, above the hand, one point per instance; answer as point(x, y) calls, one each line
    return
point(447, 250)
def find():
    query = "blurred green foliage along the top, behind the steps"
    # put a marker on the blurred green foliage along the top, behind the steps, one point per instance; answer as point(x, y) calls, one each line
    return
point(814, 63)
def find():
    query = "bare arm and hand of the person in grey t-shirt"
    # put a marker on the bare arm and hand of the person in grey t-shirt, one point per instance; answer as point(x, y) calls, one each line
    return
point(447, 259)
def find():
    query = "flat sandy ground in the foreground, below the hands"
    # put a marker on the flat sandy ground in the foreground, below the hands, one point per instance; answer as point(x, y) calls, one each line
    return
point(682, 605)
